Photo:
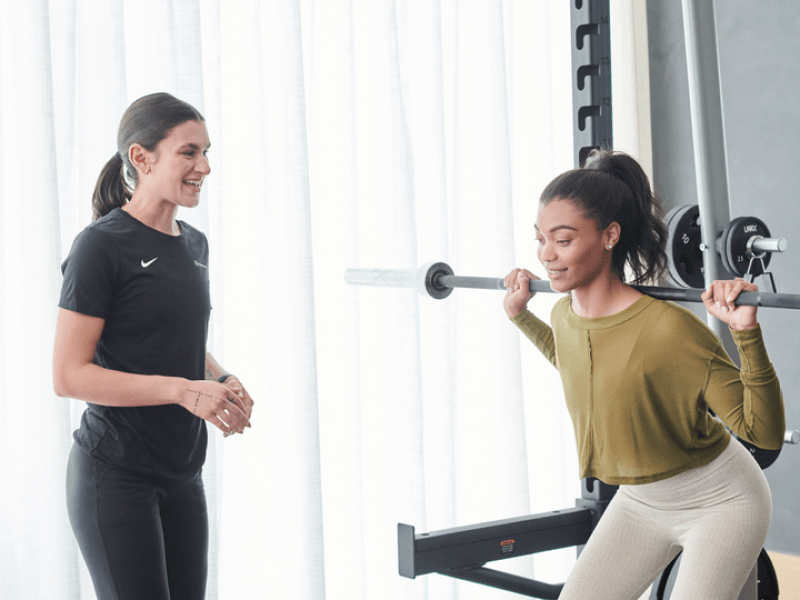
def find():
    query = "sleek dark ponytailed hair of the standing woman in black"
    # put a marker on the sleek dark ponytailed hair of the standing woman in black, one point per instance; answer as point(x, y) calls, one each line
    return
point(146, 122)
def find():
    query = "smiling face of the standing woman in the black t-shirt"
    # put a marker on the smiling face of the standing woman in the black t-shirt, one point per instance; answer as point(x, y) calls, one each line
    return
point(178, 165)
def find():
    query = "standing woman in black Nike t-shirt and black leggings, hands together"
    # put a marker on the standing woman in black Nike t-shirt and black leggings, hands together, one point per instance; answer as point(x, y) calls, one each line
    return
point(131, 342)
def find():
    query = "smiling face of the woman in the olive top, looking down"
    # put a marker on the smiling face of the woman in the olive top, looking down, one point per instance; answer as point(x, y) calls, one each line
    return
point(571, 248)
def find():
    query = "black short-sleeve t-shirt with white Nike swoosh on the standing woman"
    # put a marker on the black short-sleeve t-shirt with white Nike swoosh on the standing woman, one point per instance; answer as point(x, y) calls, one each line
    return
point(152, 290)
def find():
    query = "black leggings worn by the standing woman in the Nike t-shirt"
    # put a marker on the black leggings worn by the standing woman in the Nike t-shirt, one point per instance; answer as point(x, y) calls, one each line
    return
point(140, 537)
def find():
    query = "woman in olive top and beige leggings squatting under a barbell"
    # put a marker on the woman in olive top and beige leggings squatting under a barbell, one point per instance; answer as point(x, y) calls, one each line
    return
point(640, 376)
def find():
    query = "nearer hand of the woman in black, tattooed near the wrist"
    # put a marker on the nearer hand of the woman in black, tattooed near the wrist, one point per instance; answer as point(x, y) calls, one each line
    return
point(215, 403)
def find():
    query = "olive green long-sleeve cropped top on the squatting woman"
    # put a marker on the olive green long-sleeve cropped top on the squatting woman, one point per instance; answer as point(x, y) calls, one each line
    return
point(638, 386)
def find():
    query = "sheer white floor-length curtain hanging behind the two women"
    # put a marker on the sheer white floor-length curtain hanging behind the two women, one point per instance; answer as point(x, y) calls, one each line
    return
point(345, 133)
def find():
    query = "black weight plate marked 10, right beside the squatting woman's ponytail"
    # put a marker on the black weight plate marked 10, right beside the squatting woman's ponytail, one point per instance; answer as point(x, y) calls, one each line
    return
point(683, 247)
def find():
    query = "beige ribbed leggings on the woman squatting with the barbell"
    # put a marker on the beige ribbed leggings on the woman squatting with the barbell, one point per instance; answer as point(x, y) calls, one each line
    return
point(717, 515)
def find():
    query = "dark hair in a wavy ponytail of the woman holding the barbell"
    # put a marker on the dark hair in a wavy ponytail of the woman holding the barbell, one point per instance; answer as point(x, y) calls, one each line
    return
point(613, 187)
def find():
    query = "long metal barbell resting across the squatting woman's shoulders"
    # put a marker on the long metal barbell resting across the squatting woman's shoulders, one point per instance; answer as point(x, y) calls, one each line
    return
point(437, 280)
